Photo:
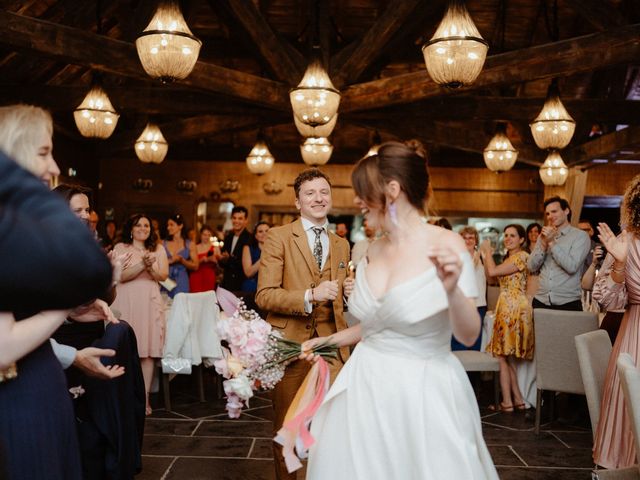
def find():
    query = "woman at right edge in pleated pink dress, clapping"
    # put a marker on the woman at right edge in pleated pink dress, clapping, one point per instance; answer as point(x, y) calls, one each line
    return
point(618, 287)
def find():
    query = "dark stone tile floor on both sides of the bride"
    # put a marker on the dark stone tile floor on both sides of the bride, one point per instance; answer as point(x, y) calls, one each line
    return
point(197, 441)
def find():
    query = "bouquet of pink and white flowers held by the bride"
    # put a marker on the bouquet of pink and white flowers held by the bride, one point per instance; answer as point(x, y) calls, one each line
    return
point(256, 356)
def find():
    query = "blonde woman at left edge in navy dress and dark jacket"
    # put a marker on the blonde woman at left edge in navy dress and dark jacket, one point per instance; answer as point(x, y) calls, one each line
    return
point(52, 263)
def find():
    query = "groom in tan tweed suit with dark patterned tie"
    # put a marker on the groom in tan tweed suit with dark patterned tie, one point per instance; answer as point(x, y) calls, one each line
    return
point(302, 268)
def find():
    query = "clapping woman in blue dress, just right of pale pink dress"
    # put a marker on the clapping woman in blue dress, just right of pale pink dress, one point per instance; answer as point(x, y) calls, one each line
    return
point(182, 255)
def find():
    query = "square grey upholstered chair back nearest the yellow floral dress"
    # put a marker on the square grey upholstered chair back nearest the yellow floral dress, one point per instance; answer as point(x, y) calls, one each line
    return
point(557, 367)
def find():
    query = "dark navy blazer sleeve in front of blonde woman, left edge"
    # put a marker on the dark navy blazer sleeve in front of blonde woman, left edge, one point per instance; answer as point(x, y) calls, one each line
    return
point(49, 259)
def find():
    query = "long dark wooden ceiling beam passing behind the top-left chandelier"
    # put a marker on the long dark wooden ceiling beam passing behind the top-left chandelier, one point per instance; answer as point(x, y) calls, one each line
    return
point(114, 56)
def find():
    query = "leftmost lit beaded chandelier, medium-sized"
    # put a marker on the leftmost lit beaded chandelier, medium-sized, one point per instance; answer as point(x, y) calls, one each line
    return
point(95, 117)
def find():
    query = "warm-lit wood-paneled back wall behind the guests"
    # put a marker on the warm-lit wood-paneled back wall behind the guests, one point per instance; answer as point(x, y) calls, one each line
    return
point(457, 192)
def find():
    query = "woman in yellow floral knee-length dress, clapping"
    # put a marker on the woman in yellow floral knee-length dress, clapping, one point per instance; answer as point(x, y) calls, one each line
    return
point(513, 326)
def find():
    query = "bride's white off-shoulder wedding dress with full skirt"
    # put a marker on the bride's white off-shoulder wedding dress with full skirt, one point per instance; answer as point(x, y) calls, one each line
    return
point(402, 407)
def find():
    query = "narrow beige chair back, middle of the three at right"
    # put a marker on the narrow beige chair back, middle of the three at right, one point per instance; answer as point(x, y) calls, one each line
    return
point(594, 350)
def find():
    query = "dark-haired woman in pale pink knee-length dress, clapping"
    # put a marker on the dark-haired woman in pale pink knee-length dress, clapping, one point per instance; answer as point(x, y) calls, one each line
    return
point(138, 294)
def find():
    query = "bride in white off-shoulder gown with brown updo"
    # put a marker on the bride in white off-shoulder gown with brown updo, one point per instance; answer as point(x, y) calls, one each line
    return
point(402, 406)
